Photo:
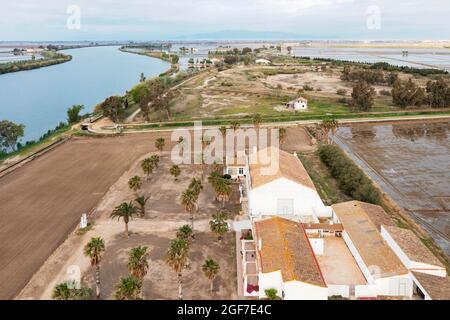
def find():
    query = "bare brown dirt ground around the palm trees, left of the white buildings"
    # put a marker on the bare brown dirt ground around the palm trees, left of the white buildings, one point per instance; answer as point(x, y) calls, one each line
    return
point(164, 215)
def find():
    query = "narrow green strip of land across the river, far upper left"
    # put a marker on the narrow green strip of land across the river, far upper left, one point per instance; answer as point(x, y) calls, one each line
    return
point(50, 58)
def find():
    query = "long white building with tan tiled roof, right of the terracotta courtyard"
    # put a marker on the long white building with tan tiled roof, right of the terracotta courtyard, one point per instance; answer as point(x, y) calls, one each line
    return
point(383, 270)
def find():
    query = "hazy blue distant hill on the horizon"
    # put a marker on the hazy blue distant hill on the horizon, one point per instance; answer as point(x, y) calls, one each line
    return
point(242, 35)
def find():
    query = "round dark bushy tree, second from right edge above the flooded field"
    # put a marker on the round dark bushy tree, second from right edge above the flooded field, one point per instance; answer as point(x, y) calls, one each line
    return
point(407, 93)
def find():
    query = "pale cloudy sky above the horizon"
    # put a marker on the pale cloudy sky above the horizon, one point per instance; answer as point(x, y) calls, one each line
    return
point(166, 19)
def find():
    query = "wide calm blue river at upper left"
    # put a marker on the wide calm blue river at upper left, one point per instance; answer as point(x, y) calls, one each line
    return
point(39, 98)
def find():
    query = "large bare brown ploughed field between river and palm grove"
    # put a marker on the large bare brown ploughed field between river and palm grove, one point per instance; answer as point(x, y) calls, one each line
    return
point(42, 202)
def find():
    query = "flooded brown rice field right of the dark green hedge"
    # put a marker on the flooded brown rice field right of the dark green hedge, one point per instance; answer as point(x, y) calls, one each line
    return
point(411, 162)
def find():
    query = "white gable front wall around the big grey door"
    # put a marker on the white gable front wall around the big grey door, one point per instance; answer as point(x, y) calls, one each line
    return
point(264, 200)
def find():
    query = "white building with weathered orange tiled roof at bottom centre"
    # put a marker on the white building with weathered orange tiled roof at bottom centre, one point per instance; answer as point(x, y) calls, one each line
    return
point(286, 261)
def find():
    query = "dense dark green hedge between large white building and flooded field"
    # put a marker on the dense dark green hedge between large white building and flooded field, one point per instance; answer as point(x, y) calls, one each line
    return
point(351, 178)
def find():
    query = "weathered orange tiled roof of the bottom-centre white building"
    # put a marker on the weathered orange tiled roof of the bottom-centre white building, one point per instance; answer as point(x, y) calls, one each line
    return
point(286, 248)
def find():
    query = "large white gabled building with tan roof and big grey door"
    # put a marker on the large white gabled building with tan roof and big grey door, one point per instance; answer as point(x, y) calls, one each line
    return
point(279, 185)
